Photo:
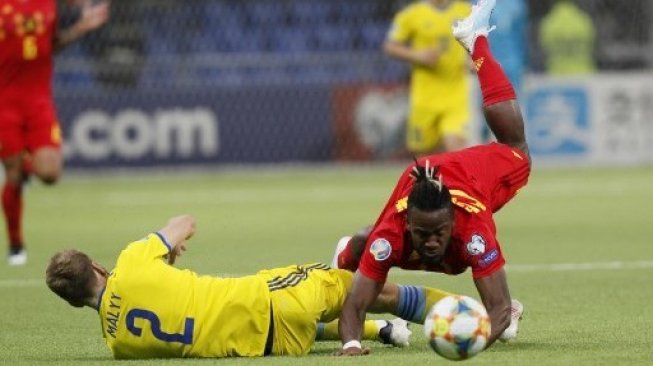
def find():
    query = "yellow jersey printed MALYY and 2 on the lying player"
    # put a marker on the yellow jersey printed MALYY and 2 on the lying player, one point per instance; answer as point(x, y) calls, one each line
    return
point(151, 309)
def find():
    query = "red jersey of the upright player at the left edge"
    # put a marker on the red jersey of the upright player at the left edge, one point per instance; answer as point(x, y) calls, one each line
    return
point(27, 29)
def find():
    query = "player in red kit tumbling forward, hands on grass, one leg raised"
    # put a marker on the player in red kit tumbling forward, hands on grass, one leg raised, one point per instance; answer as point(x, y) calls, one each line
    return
point(439, 217)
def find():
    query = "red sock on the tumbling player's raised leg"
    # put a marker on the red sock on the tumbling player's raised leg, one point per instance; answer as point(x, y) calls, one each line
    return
point(495, 85)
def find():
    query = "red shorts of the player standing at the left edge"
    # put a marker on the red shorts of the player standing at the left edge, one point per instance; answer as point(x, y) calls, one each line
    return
point(27, 124)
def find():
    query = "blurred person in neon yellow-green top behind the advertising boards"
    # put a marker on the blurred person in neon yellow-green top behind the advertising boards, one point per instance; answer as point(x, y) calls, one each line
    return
point(567, 37)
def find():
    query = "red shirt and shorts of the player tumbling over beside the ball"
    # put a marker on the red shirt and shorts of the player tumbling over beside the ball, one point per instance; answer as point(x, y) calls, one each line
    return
point(481, 180)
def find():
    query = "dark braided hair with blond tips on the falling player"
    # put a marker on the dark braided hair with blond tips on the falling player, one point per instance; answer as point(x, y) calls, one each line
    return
point(428, 193)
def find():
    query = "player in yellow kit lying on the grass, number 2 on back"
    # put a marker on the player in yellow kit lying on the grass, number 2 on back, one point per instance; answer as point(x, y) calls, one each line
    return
point(150, 309)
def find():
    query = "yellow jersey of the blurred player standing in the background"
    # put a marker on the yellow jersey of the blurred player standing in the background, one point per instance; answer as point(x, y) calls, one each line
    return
point(422, 25)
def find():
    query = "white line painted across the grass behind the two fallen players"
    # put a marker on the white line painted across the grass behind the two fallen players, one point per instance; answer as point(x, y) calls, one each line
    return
point(552, 267)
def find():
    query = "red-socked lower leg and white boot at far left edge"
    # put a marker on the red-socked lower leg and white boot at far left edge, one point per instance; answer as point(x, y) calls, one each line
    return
point(12, 207)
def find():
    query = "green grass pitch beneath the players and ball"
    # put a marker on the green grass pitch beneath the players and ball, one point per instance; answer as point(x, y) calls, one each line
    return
point(578, 243)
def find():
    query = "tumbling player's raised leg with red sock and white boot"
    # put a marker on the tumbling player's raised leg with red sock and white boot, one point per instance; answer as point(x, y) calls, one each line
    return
point(501, 110)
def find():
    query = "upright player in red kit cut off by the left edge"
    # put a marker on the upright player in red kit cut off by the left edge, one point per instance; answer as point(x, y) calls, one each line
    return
point(30, 138)
